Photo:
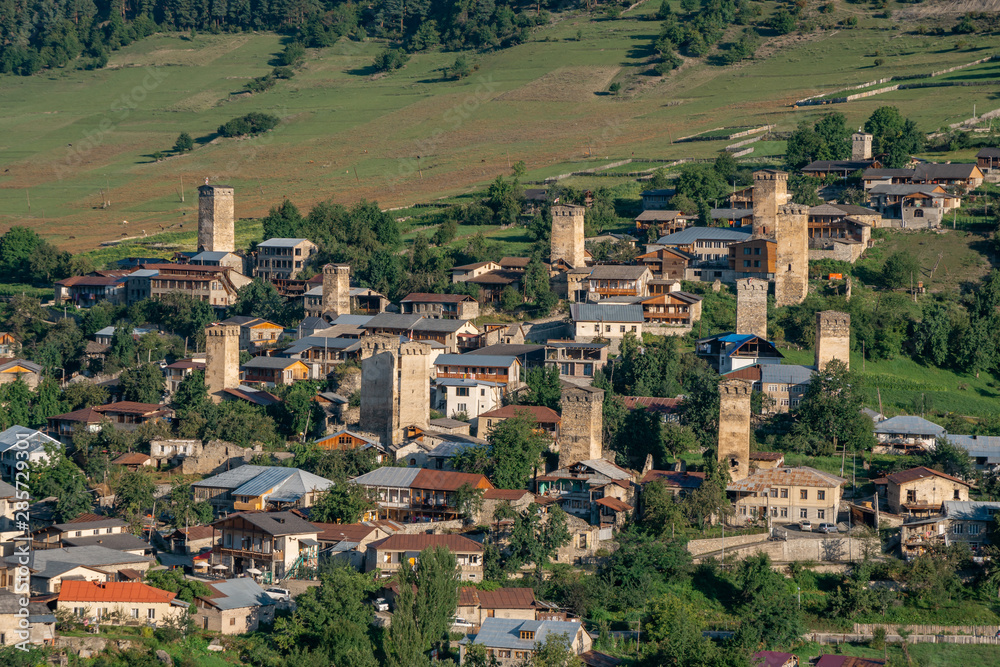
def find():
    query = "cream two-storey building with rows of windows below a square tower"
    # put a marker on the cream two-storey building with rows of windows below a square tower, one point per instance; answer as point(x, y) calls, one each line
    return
point(786, 495)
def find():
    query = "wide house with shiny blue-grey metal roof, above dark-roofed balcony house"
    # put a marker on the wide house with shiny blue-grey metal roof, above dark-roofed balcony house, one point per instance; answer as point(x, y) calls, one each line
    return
point(253, 487)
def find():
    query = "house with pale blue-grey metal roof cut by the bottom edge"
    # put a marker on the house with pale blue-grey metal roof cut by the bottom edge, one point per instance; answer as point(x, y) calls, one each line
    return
point(512, 641)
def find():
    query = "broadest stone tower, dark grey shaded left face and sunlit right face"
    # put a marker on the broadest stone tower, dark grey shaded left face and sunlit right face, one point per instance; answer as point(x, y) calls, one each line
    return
point(395, 387)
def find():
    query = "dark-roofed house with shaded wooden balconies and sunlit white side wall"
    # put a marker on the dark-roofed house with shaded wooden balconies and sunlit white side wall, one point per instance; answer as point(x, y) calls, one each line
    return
point(275, 544)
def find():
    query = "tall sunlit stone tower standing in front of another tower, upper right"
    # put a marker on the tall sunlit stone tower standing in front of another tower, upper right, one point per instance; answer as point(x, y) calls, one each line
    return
point(791, 265)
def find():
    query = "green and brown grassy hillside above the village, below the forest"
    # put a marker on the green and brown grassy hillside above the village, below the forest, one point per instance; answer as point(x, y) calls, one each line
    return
point(413, 136)
